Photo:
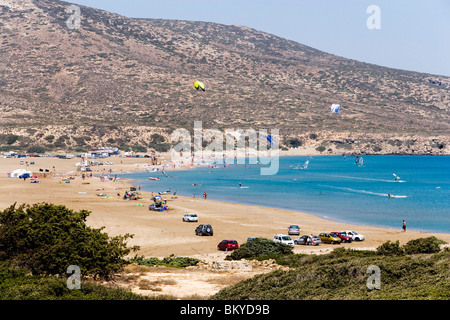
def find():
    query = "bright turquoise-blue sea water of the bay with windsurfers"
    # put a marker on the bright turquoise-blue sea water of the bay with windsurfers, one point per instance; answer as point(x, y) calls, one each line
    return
point(331, 187)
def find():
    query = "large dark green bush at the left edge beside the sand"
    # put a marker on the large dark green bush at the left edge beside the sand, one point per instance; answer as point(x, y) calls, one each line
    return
point(47, 239)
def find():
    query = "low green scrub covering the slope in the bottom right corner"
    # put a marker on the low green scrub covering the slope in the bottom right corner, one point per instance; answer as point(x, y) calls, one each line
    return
point(418, 270)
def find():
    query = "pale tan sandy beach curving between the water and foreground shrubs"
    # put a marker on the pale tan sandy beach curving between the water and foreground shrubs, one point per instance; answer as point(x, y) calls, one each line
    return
point(160, 234)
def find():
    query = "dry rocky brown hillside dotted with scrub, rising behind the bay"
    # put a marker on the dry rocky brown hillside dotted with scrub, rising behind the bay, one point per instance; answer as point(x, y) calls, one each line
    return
point(129, 82)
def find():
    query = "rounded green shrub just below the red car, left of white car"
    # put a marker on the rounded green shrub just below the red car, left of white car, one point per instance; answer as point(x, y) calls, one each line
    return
point(259, 247)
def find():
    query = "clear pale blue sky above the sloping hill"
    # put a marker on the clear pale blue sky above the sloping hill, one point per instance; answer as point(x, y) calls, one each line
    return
point(403, 34)
